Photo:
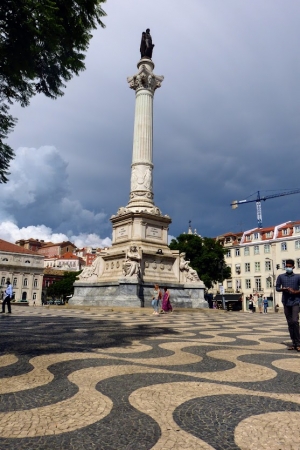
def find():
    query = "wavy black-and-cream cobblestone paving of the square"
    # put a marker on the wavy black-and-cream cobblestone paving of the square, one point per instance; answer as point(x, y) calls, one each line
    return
point(115, 380)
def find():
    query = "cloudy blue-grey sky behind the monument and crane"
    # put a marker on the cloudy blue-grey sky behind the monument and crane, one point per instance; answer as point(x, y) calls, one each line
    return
point(226, 123)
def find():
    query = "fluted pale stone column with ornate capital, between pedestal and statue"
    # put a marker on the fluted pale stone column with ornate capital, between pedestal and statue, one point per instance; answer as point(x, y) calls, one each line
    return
point(145, 82)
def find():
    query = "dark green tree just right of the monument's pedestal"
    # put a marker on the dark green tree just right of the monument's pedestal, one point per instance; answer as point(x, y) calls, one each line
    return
point(206, 256)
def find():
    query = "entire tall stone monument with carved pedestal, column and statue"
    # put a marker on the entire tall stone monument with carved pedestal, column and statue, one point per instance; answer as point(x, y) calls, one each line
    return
point(140, 256)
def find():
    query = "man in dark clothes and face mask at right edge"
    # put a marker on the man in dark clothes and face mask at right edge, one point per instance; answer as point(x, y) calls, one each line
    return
point(289, 284)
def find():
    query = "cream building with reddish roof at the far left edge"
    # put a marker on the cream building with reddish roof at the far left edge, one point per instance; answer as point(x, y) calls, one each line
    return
point(24, 268)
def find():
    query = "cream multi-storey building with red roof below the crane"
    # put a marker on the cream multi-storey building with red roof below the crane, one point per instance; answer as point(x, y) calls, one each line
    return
point(258, 256)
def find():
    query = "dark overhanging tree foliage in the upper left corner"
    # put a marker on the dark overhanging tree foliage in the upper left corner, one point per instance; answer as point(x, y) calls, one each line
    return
point(42, 45)
